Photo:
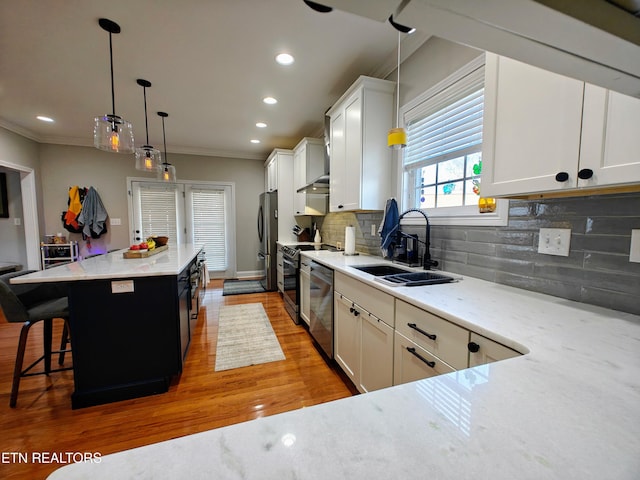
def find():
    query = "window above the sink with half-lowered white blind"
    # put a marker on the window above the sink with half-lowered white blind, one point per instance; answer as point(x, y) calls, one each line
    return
point(442, 162)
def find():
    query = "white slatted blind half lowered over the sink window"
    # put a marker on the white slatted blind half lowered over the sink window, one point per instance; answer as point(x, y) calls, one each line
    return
point(447, 125)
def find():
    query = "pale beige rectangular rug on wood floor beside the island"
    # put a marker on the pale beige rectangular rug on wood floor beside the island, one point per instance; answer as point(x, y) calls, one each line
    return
point(245, 337)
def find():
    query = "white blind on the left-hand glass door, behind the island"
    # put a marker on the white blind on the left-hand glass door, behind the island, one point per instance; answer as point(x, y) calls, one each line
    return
point(158, 210)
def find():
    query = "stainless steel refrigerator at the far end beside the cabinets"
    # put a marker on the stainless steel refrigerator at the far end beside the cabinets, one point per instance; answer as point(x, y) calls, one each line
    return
point(268, 235)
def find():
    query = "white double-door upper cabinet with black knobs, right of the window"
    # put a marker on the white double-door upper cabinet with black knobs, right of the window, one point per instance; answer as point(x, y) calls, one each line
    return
point(546, 133)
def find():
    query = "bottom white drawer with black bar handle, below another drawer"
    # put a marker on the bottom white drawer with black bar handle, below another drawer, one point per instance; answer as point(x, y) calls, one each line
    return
point(412, 362)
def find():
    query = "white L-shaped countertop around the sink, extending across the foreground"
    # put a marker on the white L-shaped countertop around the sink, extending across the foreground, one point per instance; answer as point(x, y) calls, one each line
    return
point(568, 409)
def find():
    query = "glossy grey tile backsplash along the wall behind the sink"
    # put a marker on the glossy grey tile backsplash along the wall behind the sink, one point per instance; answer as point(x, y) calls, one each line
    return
point(597, 270)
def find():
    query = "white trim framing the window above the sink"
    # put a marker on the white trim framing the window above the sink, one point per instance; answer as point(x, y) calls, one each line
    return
point(463, 215)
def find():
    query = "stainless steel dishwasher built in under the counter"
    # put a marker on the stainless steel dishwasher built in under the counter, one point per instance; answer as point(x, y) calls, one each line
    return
point(321, 306)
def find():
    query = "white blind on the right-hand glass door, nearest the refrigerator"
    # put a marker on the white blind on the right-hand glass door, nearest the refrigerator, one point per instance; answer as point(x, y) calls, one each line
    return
point(208, 206)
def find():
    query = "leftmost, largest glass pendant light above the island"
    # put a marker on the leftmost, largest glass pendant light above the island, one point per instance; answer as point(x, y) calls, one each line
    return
point(111, 132)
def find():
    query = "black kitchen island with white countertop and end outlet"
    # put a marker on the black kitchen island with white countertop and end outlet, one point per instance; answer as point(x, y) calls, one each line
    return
point(129, 321)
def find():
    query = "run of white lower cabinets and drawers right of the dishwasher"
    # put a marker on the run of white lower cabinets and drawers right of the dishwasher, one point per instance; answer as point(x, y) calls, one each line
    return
point(381, 341)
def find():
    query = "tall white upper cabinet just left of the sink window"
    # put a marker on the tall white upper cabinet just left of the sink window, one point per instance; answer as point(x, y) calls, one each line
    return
point(360, 160)
